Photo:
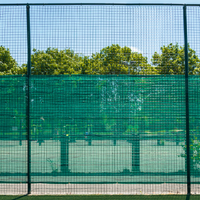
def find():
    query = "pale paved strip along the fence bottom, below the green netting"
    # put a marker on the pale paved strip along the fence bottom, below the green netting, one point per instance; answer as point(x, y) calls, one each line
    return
point(39, 189)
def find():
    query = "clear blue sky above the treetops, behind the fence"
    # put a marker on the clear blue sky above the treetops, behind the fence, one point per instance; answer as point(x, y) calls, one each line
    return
point(88, 29)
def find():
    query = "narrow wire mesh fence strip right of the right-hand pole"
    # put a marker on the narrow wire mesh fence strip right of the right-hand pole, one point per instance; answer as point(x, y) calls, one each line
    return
point(193, 40)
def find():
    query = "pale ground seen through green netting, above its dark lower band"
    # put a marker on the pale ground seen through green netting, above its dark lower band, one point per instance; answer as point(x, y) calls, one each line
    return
point(101, 157)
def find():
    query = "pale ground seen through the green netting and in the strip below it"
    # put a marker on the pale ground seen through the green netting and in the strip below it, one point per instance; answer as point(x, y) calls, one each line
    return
point(101, 157)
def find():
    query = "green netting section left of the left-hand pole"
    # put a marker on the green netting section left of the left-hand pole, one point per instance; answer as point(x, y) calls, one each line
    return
point(13, 144)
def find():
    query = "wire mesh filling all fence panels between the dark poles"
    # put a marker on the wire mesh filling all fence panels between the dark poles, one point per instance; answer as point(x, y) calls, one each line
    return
point(107, 99)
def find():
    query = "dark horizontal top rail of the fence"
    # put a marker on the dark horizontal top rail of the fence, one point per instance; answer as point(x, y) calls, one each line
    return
point(101, 4)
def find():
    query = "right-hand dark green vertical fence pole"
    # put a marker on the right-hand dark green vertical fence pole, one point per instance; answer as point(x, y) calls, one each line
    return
point(187, 101)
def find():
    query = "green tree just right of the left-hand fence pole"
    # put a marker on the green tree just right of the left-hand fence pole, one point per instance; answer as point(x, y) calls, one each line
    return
point(55, 62)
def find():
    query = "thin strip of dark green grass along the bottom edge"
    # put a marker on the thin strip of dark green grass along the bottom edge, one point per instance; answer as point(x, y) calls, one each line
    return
point(99, 197)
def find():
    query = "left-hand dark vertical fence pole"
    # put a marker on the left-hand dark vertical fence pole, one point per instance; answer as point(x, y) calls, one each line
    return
point(28, 97)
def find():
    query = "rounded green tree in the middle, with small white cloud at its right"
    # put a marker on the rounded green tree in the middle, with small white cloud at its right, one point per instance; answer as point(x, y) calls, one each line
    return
point(118, 60)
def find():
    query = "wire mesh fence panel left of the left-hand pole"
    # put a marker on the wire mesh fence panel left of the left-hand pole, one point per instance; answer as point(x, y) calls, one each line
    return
point(13, 144)
